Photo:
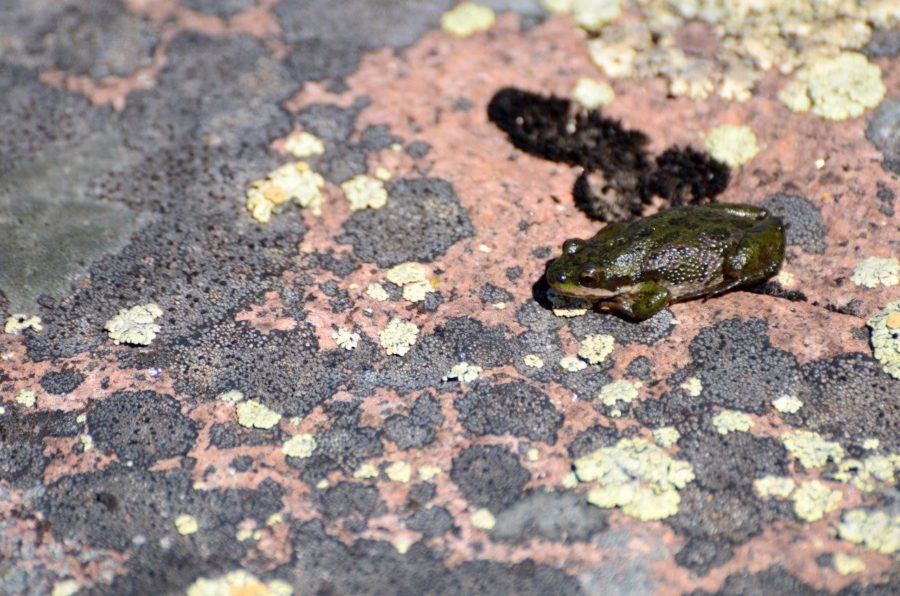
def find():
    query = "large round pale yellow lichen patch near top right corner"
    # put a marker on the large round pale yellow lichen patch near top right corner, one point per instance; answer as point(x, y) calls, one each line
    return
point(843, 86)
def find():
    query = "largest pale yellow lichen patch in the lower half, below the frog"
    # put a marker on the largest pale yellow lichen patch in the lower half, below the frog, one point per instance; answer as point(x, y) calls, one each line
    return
point(637, 476)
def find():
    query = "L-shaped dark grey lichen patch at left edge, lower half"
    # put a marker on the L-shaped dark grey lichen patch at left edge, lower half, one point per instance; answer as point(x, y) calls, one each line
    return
point(22, 460)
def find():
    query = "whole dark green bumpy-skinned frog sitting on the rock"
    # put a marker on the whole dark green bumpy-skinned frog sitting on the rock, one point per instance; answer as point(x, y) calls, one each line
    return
point(636, 269)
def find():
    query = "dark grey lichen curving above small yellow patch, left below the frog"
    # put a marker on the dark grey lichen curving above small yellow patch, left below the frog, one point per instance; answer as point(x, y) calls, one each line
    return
point(459, 339)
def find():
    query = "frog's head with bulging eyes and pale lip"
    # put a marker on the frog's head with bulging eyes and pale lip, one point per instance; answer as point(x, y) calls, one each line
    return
point(583, 272)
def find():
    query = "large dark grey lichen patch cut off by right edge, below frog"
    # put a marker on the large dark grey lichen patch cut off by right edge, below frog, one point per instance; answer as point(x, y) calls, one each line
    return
point(849, 399)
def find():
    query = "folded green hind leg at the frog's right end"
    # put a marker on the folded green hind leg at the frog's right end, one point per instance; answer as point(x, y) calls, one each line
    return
point(757, 256)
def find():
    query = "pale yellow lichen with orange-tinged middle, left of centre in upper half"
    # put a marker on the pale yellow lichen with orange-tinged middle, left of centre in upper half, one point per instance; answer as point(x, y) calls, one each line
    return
point(295, 182)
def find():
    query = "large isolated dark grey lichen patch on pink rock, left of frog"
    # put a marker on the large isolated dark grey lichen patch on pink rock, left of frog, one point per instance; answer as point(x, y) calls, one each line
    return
point(421, 220)
